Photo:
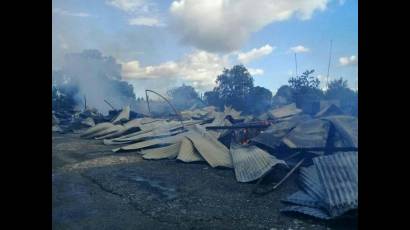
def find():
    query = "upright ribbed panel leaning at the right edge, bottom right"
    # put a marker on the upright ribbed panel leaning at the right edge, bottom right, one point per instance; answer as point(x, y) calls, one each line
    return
point(338, 174)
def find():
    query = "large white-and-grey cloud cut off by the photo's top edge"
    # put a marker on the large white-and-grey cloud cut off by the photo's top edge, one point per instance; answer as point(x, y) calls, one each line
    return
point(224, 26)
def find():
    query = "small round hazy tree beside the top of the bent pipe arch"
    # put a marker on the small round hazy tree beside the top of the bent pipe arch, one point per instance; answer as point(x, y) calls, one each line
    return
point(183, 97)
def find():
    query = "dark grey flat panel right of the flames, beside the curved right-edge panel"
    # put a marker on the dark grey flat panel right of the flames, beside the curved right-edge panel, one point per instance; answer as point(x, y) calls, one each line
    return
point(311, 133)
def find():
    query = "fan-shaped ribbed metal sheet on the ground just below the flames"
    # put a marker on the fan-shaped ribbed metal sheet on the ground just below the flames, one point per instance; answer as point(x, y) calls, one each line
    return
point(251, 162)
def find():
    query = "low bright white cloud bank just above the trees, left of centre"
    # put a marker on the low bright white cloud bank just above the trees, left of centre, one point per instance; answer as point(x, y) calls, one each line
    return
point(198, 69)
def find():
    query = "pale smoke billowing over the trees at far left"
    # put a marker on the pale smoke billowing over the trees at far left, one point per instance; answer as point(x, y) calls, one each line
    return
point(97, 78)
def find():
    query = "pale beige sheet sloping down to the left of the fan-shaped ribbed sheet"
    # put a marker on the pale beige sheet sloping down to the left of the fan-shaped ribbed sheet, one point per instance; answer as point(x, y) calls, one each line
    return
point(213, 151)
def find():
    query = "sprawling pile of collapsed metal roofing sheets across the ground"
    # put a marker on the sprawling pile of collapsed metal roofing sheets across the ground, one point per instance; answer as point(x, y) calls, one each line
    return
point(321, 148)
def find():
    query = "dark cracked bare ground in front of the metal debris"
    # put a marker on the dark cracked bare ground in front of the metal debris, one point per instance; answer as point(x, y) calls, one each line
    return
point(94, 188)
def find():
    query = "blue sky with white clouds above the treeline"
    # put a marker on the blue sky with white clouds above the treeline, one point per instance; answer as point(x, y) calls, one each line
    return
point(163, 43)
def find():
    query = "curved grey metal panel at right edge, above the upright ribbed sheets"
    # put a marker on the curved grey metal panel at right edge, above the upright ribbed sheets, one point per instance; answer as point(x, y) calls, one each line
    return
point(347, 127)
